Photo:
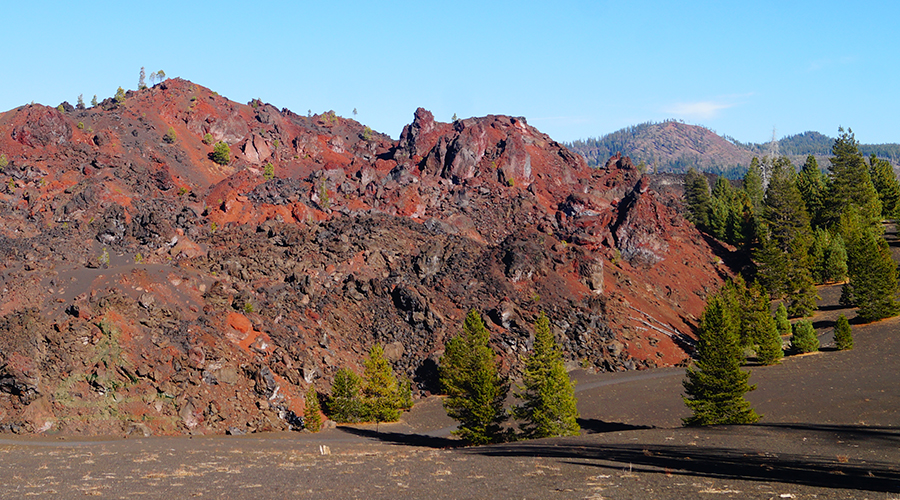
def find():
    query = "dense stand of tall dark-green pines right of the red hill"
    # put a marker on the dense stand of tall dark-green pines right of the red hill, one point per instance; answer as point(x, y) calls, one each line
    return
point(808, 227)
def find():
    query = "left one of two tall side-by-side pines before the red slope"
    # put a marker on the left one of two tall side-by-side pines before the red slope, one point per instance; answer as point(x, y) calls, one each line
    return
point(475, 389)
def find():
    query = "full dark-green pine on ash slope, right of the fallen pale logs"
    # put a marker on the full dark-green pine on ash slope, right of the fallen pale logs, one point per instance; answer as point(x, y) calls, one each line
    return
point(715, 386)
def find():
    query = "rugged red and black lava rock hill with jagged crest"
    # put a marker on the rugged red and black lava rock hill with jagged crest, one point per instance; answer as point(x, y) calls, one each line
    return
point(150, 286)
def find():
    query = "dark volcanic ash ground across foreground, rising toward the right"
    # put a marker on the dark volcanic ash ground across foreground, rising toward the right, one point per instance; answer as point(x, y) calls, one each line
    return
point(831, 429)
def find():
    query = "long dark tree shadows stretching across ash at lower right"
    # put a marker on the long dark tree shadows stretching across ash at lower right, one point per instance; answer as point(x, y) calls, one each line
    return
point(831, 471)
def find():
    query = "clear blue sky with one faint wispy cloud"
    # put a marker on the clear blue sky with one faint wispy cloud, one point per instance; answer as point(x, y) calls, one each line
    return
point(573, 69)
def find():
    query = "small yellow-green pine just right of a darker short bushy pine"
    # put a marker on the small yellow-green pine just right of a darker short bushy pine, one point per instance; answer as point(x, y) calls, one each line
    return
point(383, 396)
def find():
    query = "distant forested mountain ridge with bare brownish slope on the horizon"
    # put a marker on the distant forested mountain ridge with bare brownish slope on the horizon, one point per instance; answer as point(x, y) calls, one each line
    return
point(673, 146)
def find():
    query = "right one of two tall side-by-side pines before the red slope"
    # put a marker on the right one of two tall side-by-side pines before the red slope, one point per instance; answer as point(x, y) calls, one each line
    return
point(548, 394)
